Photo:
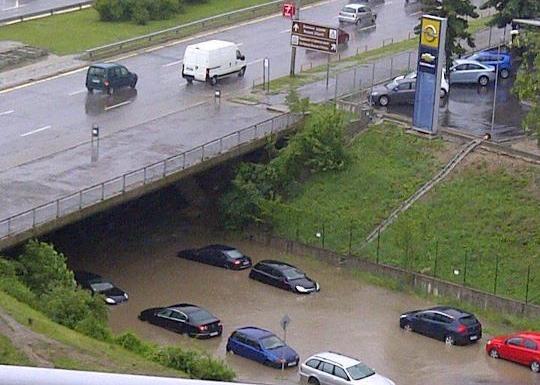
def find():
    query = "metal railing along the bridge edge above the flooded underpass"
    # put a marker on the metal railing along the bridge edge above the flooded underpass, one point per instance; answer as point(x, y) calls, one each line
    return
point(100, 192)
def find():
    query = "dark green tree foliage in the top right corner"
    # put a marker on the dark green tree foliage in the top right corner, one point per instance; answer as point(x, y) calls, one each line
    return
point(511, 9)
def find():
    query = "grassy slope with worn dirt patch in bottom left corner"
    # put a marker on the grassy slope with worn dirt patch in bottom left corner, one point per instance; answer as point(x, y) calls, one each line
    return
point(69, 349)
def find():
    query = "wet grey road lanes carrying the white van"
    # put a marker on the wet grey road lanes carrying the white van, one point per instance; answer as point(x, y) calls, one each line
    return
point(52, 115)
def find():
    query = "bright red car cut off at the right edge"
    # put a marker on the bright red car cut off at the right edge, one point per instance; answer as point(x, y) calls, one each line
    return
point(523, 348)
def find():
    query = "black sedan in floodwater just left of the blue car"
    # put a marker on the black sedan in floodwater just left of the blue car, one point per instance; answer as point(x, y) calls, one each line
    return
point(184, 318)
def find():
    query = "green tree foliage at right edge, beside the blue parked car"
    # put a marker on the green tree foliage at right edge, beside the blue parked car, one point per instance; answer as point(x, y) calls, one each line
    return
point(527, 84)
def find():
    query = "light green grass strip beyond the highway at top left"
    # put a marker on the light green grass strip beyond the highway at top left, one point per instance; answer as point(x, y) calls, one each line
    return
point(77, 31)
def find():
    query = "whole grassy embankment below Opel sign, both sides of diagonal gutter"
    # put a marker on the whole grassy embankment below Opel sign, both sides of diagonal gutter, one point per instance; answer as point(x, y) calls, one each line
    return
point(487, 211)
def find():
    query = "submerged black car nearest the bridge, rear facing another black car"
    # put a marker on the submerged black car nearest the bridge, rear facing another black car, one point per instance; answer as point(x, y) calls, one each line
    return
point(218, 255)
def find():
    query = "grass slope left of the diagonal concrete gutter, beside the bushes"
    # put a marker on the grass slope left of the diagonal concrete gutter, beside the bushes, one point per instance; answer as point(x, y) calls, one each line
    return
point(387, 166)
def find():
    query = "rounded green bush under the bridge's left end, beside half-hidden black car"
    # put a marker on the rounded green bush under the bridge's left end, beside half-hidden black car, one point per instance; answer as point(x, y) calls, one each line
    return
point(44, 268)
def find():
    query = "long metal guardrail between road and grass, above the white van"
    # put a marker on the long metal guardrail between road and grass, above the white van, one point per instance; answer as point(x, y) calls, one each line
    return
point(185, 29)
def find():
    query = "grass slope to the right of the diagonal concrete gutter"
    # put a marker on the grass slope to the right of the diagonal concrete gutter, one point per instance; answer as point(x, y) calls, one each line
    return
point(483, 214)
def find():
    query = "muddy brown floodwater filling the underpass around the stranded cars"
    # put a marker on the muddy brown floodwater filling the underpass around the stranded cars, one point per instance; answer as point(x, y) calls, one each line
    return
point(136, 247)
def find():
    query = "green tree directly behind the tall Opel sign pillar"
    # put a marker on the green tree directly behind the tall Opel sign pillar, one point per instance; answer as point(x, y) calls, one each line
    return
point(456, 11)
